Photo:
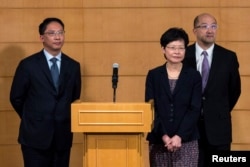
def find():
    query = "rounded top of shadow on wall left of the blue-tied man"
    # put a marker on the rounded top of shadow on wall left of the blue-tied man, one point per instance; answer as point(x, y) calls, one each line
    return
point(10, 56)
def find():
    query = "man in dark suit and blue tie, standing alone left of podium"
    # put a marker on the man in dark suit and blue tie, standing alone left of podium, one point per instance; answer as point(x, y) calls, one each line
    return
point(42, 103)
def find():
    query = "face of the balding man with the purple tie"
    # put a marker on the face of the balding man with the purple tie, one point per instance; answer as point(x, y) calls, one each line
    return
point(205, 30)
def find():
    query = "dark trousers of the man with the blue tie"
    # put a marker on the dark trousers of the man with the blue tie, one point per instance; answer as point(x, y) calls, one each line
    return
point(45, 158)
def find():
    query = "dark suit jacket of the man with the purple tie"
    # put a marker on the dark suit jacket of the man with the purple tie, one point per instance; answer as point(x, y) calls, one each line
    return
point(221, 93)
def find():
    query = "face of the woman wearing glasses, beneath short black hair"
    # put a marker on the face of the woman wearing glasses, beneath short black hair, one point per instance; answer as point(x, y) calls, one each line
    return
point(174, 52)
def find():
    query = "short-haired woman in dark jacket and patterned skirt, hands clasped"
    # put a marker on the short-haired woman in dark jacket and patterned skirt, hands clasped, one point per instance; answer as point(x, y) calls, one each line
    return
point(175, 92)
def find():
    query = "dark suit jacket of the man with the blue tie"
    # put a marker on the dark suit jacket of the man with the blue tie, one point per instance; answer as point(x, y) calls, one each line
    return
point(44, 112)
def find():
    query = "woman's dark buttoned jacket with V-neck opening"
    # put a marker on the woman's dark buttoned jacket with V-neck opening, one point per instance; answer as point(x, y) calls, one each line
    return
point(177, 113)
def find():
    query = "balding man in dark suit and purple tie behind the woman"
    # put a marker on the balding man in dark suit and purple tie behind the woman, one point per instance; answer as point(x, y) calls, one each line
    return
point(222, 88)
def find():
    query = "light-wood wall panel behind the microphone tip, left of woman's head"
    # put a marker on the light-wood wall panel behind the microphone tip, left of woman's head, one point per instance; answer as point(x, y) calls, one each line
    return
point(134, 58)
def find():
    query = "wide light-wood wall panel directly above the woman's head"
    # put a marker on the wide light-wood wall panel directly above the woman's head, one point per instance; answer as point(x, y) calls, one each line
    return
point(133, 24)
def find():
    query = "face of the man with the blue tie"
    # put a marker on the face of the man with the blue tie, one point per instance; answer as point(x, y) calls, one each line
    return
point(53, 38)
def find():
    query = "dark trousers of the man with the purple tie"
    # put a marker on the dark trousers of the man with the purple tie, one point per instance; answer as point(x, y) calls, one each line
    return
point(205, 148)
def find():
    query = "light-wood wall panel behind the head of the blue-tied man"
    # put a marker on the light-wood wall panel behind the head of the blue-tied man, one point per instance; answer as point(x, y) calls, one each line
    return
point(18, 26)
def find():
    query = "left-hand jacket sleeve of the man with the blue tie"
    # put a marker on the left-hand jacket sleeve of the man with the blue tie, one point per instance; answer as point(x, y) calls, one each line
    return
point(19, 87)
